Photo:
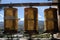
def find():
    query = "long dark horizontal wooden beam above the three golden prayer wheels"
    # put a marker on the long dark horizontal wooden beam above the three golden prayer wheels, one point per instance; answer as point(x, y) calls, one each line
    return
point(29, 4)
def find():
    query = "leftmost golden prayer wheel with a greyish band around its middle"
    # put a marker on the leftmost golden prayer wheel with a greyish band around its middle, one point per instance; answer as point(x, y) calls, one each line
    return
point(10, 20)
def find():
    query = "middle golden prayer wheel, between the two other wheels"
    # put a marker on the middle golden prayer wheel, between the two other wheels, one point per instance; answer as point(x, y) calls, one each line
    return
point(31, 20)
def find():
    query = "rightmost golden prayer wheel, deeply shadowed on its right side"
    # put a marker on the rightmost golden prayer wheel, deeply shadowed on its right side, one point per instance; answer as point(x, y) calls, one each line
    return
point(51, 20)
